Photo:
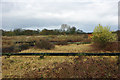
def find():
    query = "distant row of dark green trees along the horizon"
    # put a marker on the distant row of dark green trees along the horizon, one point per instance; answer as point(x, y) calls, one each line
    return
point(63, 30)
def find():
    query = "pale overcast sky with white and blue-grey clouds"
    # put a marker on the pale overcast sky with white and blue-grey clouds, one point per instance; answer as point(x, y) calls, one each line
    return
point(51, 14)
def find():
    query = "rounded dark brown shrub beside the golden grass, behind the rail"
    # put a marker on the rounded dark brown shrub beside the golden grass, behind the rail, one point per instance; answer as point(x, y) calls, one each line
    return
point(44, 44)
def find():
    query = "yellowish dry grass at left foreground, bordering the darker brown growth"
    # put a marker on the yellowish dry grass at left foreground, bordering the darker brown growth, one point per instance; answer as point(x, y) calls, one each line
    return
point(17, 65)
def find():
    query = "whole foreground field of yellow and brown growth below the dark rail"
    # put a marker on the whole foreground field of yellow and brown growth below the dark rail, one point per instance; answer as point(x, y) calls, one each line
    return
point(60, 66)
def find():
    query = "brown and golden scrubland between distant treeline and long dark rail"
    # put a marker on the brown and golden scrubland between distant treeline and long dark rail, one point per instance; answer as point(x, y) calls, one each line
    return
point(54, 44)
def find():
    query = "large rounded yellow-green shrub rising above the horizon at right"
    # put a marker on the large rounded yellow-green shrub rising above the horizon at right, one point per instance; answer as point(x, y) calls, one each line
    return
point(102, 35)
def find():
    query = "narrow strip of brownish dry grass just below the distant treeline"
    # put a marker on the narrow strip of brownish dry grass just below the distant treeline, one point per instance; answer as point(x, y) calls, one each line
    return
point(49, 37)
